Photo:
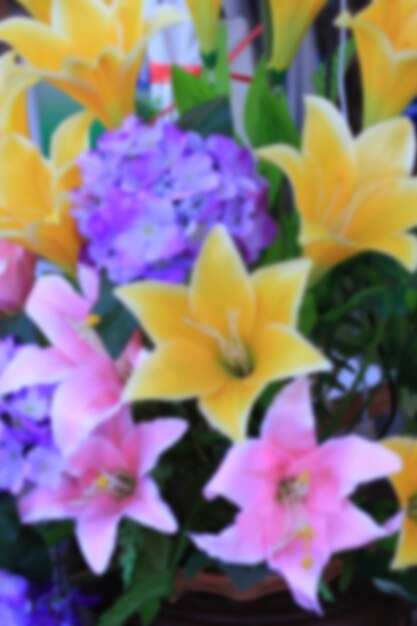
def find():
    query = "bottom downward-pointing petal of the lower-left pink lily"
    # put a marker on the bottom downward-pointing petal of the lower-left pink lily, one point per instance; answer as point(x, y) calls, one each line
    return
point(97, 538)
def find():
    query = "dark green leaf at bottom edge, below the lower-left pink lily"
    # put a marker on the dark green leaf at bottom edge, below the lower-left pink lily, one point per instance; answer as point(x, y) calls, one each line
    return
point(154, 587)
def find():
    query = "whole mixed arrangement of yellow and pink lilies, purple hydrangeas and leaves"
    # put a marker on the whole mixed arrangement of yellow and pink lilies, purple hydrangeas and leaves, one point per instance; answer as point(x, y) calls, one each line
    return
point(188, 317)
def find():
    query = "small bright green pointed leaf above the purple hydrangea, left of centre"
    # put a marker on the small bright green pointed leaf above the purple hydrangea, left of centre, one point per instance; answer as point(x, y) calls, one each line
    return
point(190, 91)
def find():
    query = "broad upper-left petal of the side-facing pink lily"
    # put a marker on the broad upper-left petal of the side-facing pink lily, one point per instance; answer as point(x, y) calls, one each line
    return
point(57, 309)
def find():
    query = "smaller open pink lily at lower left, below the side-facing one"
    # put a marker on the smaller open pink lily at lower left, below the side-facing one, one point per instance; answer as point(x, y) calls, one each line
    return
point(106, 480)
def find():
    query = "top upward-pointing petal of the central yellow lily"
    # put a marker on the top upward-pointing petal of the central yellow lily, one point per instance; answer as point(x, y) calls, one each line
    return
point(221, 287)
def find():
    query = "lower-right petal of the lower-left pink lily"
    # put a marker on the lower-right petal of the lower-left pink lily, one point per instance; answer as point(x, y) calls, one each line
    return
point(150, 510)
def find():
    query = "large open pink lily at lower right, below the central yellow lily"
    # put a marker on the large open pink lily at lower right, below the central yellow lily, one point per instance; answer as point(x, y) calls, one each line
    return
point(293, 495)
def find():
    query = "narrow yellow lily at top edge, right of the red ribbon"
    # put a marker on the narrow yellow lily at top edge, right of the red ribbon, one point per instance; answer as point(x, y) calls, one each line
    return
point(291, 19)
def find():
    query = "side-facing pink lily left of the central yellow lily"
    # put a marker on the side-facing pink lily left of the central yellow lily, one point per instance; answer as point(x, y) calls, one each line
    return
point(89, 382)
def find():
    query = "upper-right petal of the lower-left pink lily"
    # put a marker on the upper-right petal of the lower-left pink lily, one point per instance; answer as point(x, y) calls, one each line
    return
point(151, 440)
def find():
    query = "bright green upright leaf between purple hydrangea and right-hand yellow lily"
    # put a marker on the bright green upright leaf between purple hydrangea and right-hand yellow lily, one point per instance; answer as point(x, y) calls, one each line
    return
point(268, 117)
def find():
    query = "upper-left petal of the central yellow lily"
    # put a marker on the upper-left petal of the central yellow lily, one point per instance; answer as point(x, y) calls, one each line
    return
point(163, 311)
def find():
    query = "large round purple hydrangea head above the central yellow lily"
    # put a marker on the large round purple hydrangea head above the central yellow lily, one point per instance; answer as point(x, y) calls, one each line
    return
point(151, 194)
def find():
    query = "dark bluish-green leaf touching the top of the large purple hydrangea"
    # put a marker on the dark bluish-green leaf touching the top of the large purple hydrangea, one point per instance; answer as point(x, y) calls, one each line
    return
point(209, 118)
